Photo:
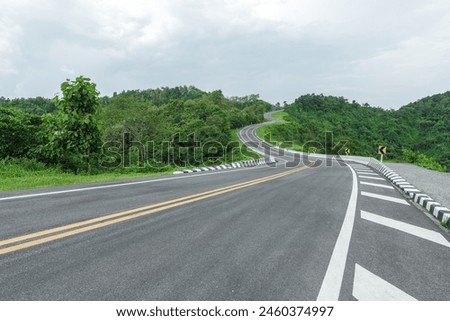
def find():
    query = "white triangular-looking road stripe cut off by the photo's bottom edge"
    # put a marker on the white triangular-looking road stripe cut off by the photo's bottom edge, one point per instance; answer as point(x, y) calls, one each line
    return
point(370, 287)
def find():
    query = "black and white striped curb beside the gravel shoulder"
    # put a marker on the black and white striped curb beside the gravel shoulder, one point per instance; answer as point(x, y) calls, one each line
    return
point(435, 208)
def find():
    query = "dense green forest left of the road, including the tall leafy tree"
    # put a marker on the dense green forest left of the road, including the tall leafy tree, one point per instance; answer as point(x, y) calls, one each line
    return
point(137, 130)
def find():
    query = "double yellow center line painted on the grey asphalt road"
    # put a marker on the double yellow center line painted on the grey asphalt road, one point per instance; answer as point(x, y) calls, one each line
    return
point(45, 236)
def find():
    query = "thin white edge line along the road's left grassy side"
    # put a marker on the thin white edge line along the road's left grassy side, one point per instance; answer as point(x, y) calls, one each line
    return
point(119, 185)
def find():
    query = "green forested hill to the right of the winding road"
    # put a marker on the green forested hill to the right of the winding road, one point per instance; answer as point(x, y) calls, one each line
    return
point(419, 131)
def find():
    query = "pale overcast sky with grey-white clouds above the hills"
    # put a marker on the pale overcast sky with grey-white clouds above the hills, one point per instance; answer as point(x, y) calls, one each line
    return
point(383, 52)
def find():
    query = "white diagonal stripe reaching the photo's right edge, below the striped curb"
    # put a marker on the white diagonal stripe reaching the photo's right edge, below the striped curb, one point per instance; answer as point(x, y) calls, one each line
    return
point(406, 228)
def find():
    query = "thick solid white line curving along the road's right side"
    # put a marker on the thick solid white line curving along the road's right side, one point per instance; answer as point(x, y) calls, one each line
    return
point(332, 282)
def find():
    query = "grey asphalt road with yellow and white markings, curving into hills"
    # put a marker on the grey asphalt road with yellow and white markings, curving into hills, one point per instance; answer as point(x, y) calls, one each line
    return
point(264, 233)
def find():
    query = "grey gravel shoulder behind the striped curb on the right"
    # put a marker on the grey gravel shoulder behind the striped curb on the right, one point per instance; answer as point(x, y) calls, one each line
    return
point(433, 183)
